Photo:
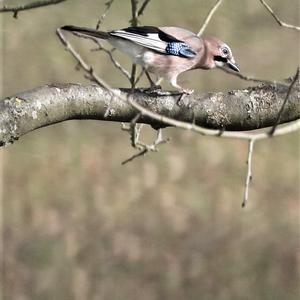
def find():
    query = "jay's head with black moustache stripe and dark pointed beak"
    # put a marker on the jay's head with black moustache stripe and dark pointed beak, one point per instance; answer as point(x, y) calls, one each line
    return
point(219, 54)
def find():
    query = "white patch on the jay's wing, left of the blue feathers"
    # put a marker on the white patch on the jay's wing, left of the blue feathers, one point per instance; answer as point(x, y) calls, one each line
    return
point(150, 41)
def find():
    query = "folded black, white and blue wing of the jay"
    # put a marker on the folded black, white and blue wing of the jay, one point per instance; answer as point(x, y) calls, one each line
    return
point(152, 38)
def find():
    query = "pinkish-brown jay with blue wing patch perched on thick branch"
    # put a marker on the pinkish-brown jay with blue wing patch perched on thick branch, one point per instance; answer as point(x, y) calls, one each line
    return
point(166, 51)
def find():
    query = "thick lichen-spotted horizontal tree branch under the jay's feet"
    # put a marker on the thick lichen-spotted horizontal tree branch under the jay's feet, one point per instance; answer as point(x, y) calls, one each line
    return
point(238, 110)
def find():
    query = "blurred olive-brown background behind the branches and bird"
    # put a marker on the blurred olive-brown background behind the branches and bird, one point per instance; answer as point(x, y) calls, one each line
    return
point(78, 225)
